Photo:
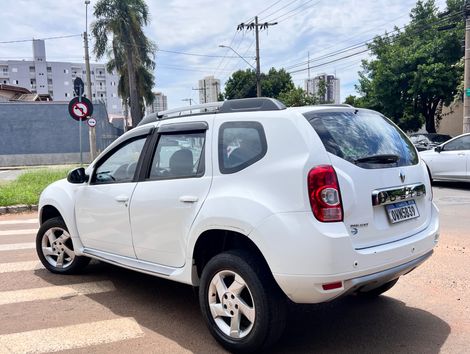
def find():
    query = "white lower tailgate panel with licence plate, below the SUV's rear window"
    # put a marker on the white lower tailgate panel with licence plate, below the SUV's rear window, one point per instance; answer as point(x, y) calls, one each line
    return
point(378, 207)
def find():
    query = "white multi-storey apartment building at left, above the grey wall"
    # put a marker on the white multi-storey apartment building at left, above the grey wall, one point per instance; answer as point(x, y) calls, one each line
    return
point(56, 78)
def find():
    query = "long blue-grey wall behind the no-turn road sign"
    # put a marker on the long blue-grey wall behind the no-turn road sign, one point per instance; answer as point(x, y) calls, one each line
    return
point(44, 133)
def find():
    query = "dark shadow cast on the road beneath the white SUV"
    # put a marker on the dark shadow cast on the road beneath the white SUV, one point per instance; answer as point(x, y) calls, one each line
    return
point(347, 325)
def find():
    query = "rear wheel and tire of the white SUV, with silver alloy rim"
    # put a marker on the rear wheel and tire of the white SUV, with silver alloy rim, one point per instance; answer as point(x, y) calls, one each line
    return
point(242, 305)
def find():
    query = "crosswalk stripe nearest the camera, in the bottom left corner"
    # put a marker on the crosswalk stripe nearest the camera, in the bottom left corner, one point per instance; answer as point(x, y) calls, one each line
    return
point(70, 337)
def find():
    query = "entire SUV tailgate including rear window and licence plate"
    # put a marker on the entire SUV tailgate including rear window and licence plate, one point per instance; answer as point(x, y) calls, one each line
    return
point(384, 188)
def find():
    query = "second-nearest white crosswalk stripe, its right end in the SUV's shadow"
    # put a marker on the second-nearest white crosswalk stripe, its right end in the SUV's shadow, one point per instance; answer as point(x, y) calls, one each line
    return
point(55, 292)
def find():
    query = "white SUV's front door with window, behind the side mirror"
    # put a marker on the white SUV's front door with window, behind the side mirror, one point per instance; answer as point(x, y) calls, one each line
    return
point(102, 206)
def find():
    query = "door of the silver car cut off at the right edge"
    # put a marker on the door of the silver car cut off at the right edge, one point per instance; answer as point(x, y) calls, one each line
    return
point(452, 161)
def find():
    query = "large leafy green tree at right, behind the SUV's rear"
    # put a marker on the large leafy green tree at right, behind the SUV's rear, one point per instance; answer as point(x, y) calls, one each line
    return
point(415, 72)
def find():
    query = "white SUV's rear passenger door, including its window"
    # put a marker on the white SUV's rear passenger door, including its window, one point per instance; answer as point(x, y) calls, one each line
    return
point(165, 204)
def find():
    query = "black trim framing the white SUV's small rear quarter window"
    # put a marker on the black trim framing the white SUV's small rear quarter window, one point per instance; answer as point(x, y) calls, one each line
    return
point(241, 124)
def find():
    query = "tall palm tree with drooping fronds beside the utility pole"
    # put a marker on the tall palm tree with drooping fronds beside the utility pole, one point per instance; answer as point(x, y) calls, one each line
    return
point(123, 21)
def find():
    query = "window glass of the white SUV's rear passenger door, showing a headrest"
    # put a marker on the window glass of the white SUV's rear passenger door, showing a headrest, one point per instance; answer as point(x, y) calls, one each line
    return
point(178, 156)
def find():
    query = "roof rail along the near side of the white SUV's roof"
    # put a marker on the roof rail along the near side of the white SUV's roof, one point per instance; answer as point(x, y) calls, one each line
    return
point(229, 106)
